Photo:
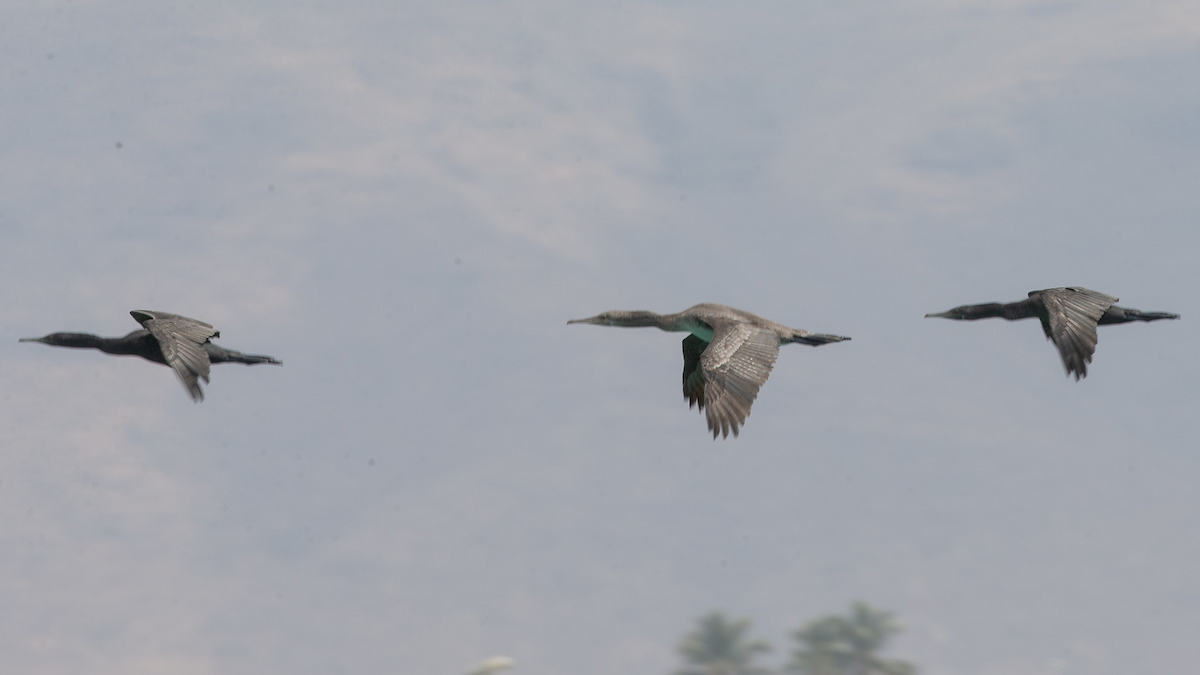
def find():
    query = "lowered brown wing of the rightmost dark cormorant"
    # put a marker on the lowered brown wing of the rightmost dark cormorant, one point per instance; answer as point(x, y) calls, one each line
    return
point(1072, 316)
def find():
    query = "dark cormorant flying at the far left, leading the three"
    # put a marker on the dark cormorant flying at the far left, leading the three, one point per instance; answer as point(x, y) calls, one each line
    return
point(169, 339)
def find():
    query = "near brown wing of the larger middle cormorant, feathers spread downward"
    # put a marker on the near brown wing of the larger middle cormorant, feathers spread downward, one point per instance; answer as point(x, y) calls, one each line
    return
point(735, 366)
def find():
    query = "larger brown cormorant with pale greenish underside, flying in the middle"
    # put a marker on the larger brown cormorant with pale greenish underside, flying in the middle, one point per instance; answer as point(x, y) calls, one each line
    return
point(727, 359)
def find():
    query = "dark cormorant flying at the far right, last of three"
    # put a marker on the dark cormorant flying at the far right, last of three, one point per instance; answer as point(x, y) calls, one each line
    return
point(1069, 316)
